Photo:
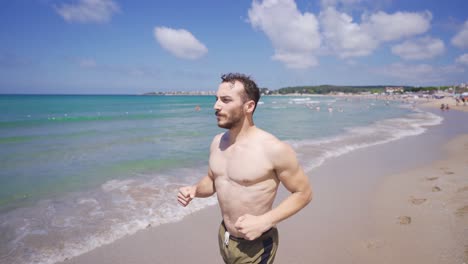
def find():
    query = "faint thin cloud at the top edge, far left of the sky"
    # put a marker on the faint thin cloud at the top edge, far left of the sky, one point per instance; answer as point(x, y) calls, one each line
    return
point(88, 11)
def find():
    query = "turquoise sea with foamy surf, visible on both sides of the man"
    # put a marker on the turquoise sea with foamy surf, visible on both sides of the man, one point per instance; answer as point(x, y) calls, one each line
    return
point(81, 171)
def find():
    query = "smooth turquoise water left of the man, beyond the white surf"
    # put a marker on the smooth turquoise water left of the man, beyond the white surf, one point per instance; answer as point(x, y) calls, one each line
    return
point(51, 144)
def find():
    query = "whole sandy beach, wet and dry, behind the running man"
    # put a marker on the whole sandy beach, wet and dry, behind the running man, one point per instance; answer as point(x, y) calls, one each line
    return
point(400, 202)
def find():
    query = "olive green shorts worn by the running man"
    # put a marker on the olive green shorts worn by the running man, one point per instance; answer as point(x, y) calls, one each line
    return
point(238, 250)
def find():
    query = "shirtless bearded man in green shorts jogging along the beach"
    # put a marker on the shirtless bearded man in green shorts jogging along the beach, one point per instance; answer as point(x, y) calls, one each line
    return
point(246, 165)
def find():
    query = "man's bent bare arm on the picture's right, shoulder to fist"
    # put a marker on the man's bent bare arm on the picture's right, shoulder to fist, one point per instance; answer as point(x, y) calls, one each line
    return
point(291, 174)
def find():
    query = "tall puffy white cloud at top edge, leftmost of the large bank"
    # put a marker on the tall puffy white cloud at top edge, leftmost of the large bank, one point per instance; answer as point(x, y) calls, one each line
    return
point(295, 36)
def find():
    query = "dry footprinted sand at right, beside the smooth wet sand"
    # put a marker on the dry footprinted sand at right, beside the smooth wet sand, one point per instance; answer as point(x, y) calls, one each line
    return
point(421, 215)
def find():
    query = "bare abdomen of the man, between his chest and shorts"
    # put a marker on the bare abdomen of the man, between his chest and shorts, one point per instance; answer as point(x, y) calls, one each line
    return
point(236, 200)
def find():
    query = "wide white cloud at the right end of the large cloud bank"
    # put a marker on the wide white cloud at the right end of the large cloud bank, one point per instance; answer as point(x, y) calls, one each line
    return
point(388, 27)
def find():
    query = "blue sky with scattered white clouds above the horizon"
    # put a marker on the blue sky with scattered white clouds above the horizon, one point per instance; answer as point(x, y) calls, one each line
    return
point(133, 47)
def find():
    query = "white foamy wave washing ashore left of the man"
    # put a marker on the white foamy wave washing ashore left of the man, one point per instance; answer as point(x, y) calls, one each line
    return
point(56, 230)
